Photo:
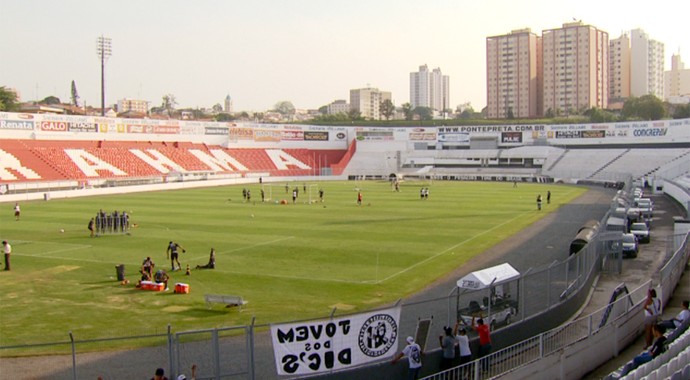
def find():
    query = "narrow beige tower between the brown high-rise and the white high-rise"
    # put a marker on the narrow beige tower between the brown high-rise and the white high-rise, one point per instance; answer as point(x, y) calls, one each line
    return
point(619, 68)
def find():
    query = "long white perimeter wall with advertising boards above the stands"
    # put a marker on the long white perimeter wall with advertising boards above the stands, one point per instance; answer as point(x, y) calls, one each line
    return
point(251, 135)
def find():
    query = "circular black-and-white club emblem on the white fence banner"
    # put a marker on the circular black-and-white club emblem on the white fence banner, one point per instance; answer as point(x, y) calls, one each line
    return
point(378, 335)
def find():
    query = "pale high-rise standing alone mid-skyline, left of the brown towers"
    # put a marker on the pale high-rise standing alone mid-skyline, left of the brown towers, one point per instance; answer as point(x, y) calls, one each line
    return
point(429, 89)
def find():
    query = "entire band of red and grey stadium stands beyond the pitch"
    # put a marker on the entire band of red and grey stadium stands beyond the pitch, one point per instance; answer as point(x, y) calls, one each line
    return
point(51, 160)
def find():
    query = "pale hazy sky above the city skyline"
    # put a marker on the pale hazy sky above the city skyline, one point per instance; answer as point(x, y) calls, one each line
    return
point(309, 52)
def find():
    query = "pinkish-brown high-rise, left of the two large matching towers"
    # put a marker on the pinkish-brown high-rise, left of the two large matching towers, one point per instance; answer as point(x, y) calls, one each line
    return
point(513, 63)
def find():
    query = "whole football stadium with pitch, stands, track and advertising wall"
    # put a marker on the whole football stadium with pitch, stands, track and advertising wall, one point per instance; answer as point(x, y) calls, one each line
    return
point(276, 251)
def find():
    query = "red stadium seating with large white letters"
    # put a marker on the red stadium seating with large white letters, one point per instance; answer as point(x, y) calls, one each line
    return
point(126, 159)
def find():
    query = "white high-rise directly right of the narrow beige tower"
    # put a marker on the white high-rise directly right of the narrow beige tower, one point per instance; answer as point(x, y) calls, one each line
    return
point(646, 65)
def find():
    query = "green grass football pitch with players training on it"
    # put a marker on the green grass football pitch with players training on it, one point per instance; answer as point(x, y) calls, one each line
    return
point(288, 261)
